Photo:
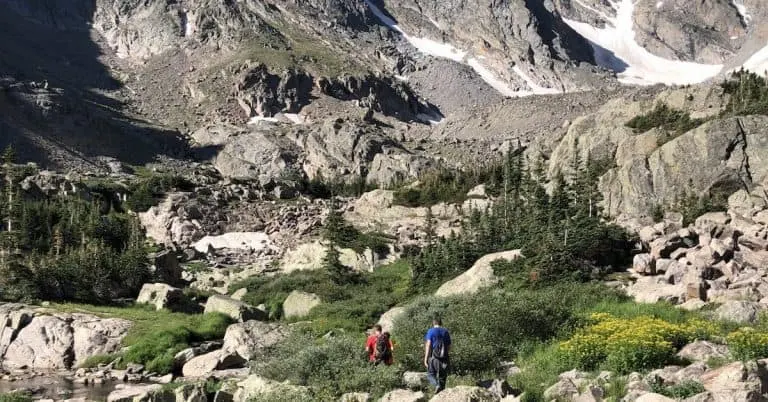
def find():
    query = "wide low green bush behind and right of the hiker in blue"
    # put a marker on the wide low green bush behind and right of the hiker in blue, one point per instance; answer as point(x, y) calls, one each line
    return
point(496, 325)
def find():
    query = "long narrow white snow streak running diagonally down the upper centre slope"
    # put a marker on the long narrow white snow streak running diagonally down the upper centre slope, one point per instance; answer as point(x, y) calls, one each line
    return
point(448, 51)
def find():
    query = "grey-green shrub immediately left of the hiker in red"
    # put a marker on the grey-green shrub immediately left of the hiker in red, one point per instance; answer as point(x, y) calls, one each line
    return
point(331, 367)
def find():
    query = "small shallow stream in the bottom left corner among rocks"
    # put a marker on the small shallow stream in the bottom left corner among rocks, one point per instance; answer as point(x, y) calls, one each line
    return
point(57, 388)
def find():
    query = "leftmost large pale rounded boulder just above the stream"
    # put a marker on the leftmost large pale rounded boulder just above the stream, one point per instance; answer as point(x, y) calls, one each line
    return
point(46, 343)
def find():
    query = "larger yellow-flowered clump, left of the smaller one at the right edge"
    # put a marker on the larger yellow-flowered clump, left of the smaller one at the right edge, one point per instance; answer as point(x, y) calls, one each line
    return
point(630, 344)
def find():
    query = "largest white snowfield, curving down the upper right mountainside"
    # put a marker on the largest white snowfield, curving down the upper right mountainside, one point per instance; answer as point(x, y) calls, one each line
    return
point(615, 48)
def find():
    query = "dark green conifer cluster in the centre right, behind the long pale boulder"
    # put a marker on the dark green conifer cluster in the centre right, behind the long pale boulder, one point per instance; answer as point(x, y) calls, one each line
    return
point(562, 232)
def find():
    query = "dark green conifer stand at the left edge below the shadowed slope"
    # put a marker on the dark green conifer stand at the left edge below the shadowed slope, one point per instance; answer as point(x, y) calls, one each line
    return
point(66, 247)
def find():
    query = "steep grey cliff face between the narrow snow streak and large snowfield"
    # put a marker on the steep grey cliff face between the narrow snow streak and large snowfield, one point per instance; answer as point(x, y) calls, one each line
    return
point(525, 44)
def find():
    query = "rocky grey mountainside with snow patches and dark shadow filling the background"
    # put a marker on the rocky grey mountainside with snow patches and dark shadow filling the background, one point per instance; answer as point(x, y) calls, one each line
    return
point(156, 72)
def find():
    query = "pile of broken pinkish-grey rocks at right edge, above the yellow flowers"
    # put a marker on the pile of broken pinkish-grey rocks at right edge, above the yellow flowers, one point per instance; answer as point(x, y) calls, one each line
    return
point(720, 258)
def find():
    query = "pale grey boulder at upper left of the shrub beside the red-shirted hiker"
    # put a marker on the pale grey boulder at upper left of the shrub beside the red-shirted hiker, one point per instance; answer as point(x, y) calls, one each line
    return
point(250, 337)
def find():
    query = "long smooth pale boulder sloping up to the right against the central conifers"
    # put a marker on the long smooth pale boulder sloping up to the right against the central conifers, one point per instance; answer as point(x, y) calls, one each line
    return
point(478, 277)
